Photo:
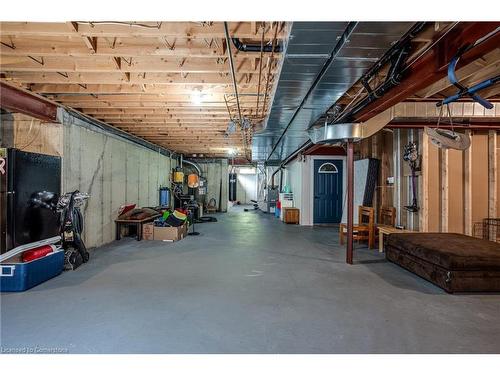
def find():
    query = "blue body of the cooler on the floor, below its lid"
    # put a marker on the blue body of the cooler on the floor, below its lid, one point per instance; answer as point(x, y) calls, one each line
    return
point(17, 277)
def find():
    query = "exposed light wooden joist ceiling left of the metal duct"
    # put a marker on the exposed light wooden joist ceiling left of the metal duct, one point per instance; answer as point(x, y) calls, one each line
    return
point(167, 82)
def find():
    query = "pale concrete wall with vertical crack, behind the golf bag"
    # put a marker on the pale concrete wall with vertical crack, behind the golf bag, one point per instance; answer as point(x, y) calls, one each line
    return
point(114, 171)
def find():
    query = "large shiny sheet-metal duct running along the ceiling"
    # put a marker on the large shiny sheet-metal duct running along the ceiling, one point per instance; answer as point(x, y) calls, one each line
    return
point(310, 46)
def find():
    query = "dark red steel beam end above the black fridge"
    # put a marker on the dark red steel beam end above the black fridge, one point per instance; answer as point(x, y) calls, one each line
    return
point(16, 100)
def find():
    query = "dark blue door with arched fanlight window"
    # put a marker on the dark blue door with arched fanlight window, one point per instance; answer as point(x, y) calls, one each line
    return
point(327, 191)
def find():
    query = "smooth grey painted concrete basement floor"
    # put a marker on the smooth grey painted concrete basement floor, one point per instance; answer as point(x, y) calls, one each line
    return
point(247, 284)
